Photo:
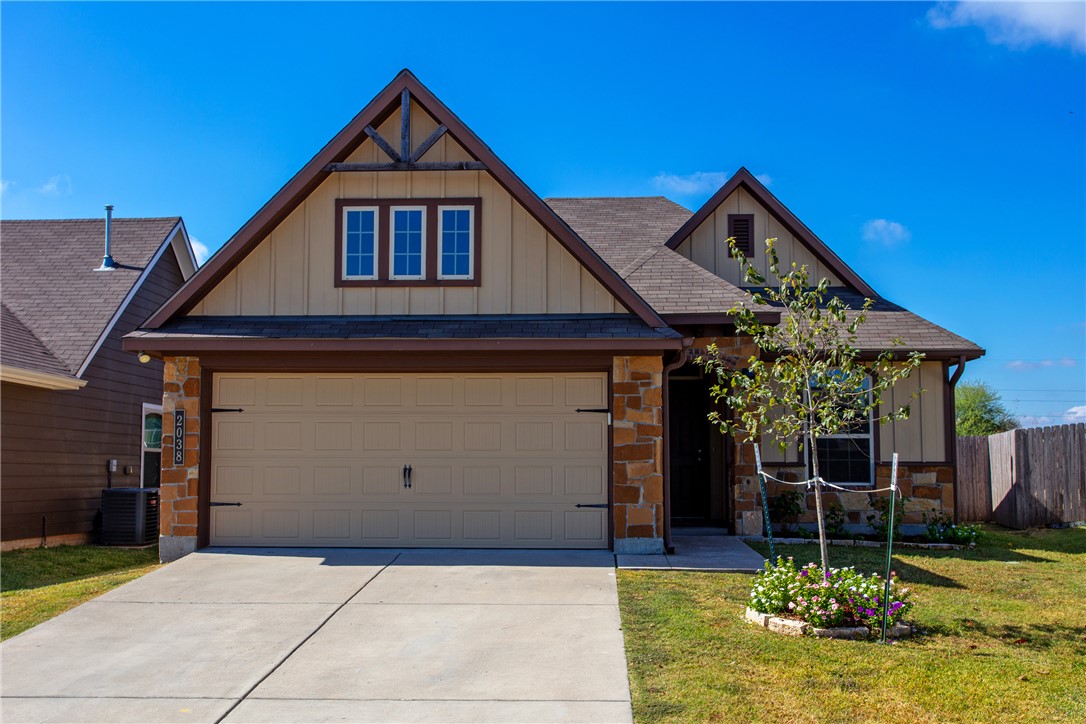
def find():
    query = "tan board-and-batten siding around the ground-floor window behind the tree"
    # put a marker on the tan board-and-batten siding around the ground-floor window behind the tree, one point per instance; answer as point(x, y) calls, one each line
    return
point(919, 439)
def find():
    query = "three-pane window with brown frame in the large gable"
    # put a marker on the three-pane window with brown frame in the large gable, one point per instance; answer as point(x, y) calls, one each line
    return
point(408, 243)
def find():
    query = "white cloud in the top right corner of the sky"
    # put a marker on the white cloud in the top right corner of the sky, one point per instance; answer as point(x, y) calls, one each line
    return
point(1018, 26)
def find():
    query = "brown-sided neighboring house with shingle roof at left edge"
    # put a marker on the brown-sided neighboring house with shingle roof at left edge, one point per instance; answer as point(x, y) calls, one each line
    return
point(71, 400)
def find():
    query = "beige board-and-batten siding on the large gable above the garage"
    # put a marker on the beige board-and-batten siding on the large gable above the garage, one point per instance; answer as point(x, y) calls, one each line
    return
point(524, 270)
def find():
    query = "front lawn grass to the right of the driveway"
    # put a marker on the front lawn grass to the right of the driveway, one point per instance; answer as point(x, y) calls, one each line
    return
point(1005, 640)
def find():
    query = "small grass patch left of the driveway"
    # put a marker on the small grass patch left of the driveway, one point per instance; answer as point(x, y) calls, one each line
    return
point(37, 585)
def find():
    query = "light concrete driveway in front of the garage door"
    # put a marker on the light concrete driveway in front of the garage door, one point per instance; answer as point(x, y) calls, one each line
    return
point(294, 636)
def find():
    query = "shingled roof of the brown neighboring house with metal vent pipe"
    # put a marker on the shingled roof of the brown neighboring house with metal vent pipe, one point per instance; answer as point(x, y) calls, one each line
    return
point(57, 309)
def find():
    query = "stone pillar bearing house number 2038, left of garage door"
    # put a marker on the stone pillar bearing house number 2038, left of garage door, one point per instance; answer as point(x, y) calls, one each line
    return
point(180, 486)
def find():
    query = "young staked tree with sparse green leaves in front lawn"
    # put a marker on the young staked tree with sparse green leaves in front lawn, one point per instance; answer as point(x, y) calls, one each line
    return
point(810, 379)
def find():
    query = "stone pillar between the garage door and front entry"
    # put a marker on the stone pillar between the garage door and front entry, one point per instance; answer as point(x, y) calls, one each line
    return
point(639, 454)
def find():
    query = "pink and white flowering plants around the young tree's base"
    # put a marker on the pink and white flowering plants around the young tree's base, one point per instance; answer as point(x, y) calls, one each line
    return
point(842, 599)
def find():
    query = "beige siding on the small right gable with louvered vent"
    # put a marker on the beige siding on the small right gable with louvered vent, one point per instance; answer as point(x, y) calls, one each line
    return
point(706, 246)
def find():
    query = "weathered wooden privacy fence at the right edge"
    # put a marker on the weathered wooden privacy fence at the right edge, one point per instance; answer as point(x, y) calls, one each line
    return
point(1024, 478)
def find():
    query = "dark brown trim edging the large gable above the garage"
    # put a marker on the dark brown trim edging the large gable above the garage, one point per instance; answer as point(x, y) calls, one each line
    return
point(339, 149)
